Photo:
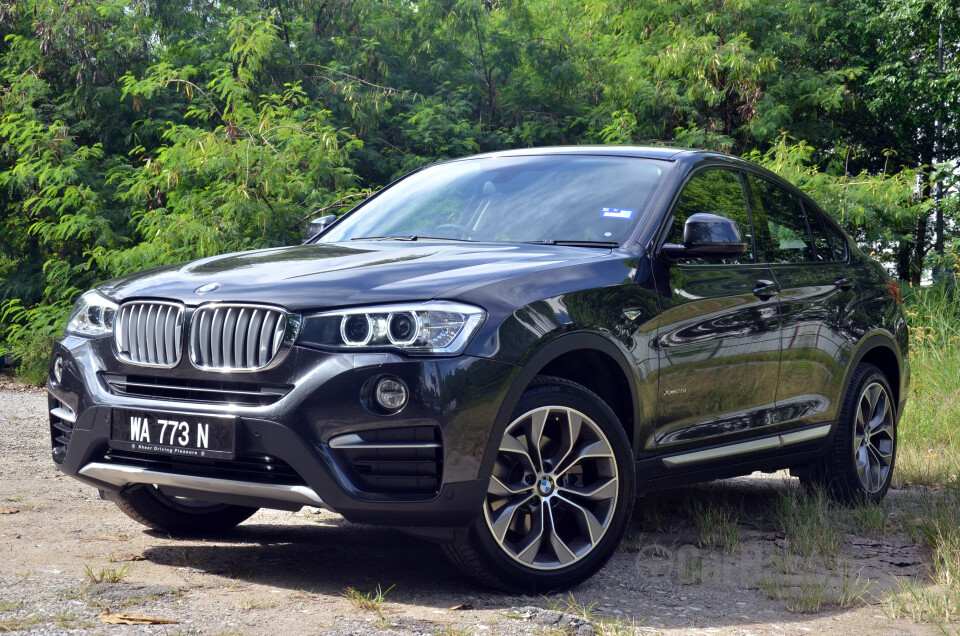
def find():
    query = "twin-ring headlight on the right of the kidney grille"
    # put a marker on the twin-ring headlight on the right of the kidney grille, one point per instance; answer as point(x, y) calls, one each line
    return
point(436, 327)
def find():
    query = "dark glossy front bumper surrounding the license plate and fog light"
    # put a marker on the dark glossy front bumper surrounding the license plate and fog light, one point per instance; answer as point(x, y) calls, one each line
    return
point(285, 458)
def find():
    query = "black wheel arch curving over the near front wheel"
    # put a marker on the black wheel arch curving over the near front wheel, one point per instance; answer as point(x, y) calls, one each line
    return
point(584, 358)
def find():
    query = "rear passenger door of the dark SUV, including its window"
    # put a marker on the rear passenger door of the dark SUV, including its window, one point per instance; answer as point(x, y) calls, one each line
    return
point(818, 301)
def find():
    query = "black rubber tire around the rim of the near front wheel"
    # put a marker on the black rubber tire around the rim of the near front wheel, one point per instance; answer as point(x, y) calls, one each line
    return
point(562, 393)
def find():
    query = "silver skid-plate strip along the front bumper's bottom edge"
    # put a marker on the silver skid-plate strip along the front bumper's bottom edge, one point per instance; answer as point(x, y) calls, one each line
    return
point(125, 475)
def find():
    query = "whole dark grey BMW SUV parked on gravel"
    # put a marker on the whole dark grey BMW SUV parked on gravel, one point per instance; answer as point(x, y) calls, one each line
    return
point(498, 353)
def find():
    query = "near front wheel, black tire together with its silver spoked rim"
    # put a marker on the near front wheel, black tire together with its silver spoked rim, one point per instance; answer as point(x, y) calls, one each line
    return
point(552, 516)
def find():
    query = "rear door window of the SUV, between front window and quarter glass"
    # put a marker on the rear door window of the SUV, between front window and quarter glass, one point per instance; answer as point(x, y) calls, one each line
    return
point(782, 232)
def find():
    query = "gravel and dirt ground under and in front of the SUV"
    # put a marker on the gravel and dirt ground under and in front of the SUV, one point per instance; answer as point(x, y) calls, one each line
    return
point(282, 572)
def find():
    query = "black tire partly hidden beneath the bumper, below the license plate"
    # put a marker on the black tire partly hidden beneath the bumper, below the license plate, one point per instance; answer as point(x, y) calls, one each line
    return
point(178, 515)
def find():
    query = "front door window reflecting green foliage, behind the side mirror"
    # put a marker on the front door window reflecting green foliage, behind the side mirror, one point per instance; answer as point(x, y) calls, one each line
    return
point(714, 191)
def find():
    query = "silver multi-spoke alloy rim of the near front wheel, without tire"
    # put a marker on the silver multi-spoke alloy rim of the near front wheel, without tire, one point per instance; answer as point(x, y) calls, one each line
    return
point(554, 488)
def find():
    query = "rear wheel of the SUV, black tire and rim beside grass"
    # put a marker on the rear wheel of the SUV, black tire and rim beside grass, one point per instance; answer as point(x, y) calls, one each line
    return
point(859, 467)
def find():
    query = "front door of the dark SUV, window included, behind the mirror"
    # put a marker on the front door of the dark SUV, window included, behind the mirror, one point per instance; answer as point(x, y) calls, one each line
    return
point(718, 339)
